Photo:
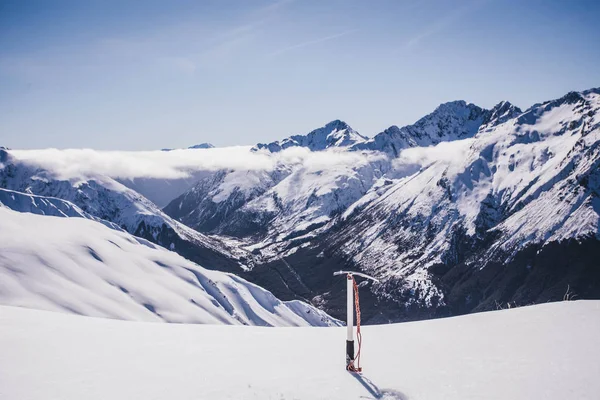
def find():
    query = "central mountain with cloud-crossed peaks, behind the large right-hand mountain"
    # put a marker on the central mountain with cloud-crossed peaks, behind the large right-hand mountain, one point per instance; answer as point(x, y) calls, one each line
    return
point(284, 203)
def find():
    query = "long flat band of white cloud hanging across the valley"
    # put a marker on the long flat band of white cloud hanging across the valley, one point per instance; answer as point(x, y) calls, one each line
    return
point(87, 163)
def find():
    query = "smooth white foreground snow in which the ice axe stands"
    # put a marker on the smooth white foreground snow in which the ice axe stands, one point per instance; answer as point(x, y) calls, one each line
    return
point(545, 352)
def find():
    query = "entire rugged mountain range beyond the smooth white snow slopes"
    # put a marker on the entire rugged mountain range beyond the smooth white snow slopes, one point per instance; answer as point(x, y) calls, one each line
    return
point(468, 209)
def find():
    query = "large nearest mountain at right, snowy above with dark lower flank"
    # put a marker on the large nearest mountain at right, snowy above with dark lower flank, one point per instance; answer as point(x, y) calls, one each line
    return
point(513, 217)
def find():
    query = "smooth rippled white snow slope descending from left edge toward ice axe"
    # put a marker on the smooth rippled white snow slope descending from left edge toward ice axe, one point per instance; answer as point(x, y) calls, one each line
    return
point(80, 266)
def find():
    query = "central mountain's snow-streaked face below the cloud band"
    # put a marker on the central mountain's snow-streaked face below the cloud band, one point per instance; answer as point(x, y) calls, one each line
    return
point(278, 205)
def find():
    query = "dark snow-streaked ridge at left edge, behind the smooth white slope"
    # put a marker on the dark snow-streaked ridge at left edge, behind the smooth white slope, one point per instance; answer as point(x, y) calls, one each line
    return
point(107, 199)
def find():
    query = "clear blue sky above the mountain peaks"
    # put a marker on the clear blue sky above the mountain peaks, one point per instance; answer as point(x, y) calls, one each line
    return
point(145, 75)
